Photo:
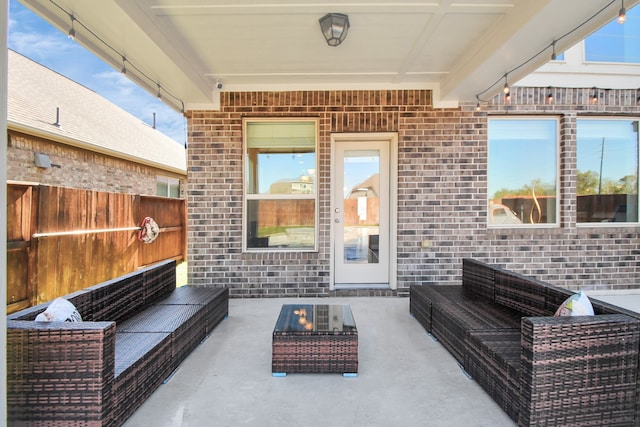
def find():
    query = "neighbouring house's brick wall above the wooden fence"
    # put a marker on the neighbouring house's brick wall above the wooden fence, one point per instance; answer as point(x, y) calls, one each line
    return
point(78, 168)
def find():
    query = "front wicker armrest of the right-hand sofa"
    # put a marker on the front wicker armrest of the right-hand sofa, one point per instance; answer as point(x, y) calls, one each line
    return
point(579, 370)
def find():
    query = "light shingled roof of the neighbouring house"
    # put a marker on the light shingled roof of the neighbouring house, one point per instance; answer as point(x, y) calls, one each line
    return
point(87, 120)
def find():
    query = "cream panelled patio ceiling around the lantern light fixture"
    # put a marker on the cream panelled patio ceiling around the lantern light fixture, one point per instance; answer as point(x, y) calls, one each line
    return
point(457, 48)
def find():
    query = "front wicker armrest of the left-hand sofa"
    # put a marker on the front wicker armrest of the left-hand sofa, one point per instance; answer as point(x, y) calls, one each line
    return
point(60, 372)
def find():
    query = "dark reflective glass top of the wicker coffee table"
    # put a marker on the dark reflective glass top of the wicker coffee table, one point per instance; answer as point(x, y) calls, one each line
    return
point(310, 318)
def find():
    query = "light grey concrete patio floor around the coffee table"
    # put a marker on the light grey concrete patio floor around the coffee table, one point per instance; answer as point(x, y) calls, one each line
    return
point(405, 378)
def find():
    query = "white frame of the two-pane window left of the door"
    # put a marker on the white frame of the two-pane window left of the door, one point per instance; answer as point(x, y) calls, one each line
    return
point(246, 197)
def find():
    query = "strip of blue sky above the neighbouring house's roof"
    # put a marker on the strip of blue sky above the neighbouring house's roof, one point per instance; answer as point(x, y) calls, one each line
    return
point(36, 39)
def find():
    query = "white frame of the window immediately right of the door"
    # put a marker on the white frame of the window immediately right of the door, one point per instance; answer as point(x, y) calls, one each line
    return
point(555, 224)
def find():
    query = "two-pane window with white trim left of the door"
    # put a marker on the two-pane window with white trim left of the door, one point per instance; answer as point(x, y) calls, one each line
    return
point(280, 186)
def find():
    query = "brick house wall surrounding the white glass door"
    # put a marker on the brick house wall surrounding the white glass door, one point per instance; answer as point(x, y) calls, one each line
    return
point(442, 193)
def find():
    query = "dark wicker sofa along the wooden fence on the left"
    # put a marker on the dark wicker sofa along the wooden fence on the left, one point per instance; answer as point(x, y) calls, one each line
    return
point(136, 330)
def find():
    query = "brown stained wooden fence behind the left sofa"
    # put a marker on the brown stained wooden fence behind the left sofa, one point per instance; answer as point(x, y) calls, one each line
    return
point(60, 240)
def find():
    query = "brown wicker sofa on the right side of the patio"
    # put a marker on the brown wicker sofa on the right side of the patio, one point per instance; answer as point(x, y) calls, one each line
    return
point(542, 370)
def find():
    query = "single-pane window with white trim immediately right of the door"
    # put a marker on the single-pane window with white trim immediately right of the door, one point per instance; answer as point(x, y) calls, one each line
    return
point(522, 171)
